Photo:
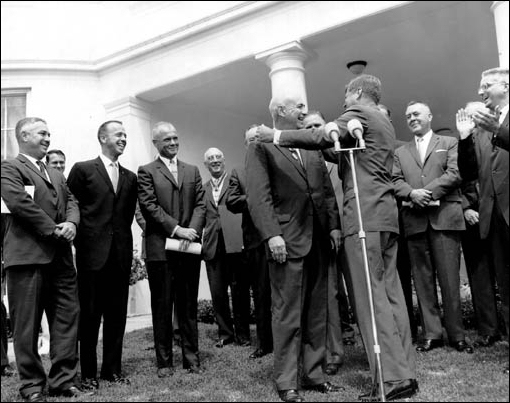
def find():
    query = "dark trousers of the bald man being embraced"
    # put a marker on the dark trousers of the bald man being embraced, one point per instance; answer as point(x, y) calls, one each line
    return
point(299, 314)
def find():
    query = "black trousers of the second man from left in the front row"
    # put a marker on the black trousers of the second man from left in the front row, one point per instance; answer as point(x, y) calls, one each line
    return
point(103, 294)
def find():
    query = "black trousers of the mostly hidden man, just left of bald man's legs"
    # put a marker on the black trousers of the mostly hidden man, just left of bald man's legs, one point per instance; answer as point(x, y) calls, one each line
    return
point(258, 270)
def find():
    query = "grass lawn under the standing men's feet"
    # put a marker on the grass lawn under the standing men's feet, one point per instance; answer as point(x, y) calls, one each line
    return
point(443, 375)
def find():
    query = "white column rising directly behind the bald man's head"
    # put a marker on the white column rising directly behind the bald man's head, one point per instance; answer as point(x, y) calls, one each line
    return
point(287, 70)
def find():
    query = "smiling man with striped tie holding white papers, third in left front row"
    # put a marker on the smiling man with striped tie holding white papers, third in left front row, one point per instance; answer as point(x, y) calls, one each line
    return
point(171, 199)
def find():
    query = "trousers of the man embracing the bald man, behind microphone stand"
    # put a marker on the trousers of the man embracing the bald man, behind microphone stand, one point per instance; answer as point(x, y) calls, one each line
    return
point(398, 358)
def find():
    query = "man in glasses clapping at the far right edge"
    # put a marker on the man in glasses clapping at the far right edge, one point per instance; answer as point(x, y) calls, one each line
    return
point(494, 92)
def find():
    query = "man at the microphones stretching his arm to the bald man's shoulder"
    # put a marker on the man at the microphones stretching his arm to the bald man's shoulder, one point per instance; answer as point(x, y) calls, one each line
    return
point(386, 332)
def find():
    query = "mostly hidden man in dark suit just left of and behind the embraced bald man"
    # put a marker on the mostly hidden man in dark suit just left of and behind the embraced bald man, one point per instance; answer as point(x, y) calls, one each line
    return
point(254, 256)
